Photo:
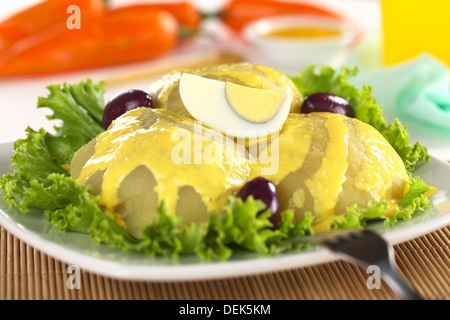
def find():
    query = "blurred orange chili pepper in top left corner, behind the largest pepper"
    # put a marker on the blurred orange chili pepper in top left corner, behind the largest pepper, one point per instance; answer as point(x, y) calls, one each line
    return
point(42, 16)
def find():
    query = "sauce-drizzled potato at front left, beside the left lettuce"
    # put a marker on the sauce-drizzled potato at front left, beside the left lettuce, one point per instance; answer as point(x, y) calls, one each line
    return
point(147, 156)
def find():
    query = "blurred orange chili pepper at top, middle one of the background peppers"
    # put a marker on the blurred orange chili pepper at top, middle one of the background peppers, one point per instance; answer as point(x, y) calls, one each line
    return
point(187, 15)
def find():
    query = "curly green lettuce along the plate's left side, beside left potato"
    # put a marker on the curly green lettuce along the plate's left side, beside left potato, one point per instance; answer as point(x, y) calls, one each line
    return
point(40, 179)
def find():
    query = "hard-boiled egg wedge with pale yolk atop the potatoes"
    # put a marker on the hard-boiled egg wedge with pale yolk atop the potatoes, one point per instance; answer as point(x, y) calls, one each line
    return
point(233, 109)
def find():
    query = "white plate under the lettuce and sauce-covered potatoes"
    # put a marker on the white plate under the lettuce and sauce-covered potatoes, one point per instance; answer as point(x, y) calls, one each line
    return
point(77, 249)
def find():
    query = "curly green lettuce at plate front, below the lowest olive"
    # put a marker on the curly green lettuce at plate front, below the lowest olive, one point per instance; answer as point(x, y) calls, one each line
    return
point(240, 226)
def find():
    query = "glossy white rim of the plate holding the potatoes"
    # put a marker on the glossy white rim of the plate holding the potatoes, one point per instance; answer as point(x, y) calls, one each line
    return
point(196, 271)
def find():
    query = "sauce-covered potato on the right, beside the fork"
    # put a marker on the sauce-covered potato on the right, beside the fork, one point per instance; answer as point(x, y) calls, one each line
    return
point(327, 162)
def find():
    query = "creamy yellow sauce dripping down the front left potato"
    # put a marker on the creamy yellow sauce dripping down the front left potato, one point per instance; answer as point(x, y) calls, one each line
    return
point(127, 144)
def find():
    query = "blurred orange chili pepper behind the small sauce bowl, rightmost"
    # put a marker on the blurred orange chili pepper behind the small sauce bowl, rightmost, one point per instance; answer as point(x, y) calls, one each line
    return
point(237, 13)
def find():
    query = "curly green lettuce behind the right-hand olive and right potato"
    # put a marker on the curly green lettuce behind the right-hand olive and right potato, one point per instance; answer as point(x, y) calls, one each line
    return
point(327, 79)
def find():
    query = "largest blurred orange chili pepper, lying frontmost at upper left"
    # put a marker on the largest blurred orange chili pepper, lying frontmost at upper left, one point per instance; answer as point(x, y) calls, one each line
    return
point(118, 37)
